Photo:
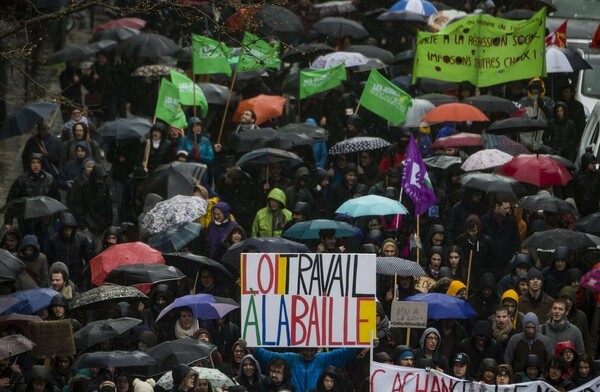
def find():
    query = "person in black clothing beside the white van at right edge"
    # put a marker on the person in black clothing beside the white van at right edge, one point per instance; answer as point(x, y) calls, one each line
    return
point(561, 134)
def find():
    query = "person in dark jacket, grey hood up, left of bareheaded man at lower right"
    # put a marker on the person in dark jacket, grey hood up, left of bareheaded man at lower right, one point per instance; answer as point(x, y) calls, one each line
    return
point(530, 341)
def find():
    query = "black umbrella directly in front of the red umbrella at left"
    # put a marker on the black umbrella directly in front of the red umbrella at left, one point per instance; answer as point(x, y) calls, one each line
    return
point(134, 274)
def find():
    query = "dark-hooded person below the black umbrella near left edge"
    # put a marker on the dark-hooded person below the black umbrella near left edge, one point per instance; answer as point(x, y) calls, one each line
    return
point(36, 263)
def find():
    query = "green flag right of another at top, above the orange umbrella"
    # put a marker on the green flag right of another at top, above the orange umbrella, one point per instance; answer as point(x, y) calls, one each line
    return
point(257, 54)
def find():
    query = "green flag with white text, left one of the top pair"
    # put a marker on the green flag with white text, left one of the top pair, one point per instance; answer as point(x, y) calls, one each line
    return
point(210, 56)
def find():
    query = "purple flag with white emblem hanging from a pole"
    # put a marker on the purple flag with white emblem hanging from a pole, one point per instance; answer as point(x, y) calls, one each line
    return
point(415, 179)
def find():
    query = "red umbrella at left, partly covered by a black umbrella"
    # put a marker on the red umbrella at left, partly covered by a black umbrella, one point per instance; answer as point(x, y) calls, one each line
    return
point(122, 254)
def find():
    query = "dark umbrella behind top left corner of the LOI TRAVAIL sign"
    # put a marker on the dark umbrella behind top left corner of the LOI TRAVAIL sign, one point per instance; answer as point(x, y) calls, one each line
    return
point(261, 244)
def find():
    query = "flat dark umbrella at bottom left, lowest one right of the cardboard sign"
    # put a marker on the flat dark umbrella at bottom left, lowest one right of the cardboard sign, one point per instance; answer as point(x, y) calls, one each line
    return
point(113, 359)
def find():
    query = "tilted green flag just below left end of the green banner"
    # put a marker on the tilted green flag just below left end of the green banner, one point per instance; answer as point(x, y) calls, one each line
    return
point(385, 99)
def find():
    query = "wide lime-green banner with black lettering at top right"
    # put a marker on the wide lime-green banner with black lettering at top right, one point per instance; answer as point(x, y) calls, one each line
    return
point(483, 50)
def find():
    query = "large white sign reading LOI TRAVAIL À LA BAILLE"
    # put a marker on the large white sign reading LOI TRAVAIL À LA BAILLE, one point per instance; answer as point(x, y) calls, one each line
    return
point(308, 300)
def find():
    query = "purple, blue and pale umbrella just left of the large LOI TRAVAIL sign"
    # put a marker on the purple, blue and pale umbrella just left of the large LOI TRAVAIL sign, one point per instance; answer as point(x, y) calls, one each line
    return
point(204, 306)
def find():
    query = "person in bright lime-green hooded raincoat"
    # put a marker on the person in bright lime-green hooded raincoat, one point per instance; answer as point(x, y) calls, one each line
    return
point(270, 220)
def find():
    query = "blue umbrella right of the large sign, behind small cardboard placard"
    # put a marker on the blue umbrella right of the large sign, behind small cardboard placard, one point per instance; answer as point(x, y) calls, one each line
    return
point(442, 306)
